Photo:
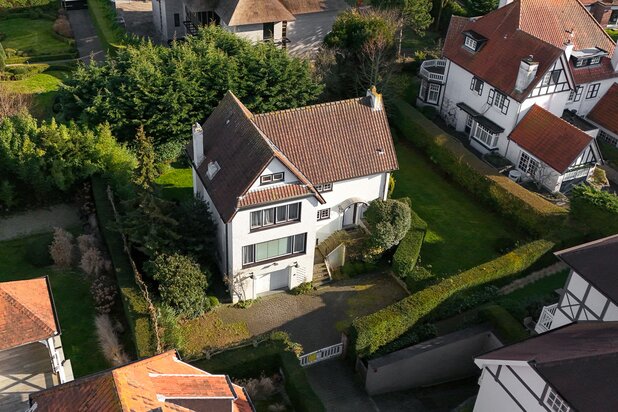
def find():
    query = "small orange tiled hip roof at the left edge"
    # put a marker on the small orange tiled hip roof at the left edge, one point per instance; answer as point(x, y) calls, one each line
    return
point(27, 312)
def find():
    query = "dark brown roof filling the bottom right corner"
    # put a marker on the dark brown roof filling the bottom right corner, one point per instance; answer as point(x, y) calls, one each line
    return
point(579, 361)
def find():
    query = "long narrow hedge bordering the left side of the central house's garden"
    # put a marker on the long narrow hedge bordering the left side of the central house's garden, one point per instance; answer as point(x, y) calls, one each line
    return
point(135, 306)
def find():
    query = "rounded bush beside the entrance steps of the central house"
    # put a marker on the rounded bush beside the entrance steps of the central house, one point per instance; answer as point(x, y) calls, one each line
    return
point(388, 221)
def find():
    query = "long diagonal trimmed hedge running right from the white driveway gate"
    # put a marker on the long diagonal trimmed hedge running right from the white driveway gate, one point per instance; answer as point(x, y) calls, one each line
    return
point(371, 332)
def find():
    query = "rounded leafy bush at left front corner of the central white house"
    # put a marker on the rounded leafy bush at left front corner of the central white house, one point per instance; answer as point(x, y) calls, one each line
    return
point(182, 284)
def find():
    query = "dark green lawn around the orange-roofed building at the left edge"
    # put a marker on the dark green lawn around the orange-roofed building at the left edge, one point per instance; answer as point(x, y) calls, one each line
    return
point(27, 258)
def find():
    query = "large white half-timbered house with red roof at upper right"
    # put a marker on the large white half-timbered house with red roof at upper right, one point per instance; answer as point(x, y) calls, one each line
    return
point(495, 68)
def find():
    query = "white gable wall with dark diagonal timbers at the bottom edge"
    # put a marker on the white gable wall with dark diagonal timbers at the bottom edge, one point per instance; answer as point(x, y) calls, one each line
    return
point(493, 397)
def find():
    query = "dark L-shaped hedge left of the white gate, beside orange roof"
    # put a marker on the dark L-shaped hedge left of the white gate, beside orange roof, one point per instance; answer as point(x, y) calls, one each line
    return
point(268, 357)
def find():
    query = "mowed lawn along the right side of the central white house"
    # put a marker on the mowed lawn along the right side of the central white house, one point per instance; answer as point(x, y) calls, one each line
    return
point(462, 232)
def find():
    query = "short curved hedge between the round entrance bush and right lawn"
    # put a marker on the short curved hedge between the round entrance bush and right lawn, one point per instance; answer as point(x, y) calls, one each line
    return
point(409, 249)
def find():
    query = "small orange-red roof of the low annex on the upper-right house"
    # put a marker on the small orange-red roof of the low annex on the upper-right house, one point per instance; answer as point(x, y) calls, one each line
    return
point(550, 139)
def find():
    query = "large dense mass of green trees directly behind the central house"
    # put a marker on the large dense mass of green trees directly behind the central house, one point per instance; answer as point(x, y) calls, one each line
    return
point(168, 89)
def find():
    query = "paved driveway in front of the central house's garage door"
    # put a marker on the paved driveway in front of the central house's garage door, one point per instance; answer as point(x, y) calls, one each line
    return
point(316, 320)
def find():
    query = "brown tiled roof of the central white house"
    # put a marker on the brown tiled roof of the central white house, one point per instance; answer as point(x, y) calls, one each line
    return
point(319, 144)
